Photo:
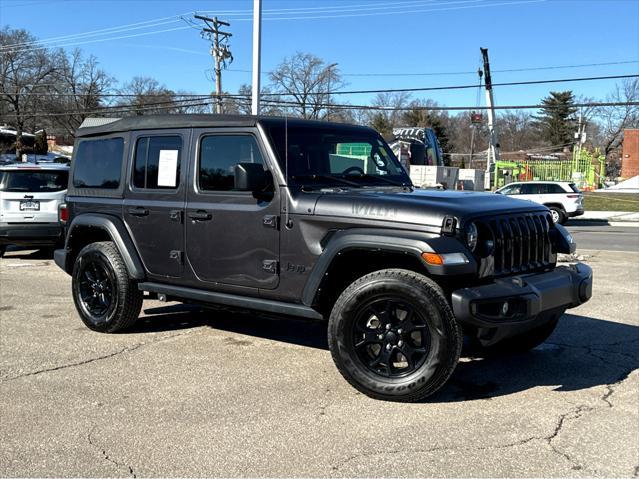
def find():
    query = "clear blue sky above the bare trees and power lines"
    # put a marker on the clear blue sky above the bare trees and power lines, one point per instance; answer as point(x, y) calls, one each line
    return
point(362, 36)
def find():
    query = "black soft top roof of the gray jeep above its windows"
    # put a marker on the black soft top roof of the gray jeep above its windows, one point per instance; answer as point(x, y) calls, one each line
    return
point(158, 122)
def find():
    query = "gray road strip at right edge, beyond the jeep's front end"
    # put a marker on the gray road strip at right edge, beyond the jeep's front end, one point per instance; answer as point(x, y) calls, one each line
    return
point(604, 237)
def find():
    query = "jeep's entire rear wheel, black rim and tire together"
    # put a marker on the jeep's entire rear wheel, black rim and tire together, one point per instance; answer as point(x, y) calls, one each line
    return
point(106, 298)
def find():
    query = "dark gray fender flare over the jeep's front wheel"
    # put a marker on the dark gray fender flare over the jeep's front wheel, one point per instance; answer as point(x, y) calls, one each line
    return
point(406, 242)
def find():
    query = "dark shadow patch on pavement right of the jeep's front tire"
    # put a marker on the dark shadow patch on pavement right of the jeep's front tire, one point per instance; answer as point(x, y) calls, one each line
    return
point(581, 354)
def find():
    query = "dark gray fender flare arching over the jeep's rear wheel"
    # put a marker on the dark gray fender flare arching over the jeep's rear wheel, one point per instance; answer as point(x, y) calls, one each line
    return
point(90, 228)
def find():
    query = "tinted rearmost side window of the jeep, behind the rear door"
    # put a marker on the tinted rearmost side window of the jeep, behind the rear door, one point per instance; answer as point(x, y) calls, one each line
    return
point(98, 164)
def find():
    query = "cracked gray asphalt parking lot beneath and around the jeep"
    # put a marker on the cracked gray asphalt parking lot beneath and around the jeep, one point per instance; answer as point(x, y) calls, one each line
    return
point(215, 393)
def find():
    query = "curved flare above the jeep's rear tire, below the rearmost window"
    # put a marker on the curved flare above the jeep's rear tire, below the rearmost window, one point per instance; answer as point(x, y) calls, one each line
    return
point(118, 233)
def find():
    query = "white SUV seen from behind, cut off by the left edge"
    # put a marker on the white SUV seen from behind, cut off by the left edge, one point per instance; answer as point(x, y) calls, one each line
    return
point(30, 196)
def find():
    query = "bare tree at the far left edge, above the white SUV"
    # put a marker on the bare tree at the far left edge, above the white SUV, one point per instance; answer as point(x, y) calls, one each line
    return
point(25, 75)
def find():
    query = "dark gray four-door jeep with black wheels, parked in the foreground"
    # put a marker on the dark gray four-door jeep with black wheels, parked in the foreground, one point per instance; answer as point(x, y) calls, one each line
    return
point(314, 220)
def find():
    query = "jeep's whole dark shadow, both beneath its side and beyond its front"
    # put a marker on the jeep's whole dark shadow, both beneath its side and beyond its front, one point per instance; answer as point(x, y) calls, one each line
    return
point(582, 353)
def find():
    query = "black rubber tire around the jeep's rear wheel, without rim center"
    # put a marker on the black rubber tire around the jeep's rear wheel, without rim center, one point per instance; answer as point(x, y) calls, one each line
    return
point(126, 303)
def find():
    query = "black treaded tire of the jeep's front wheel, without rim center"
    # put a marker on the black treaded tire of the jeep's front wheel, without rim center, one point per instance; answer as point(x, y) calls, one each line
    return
point(428, 302)
